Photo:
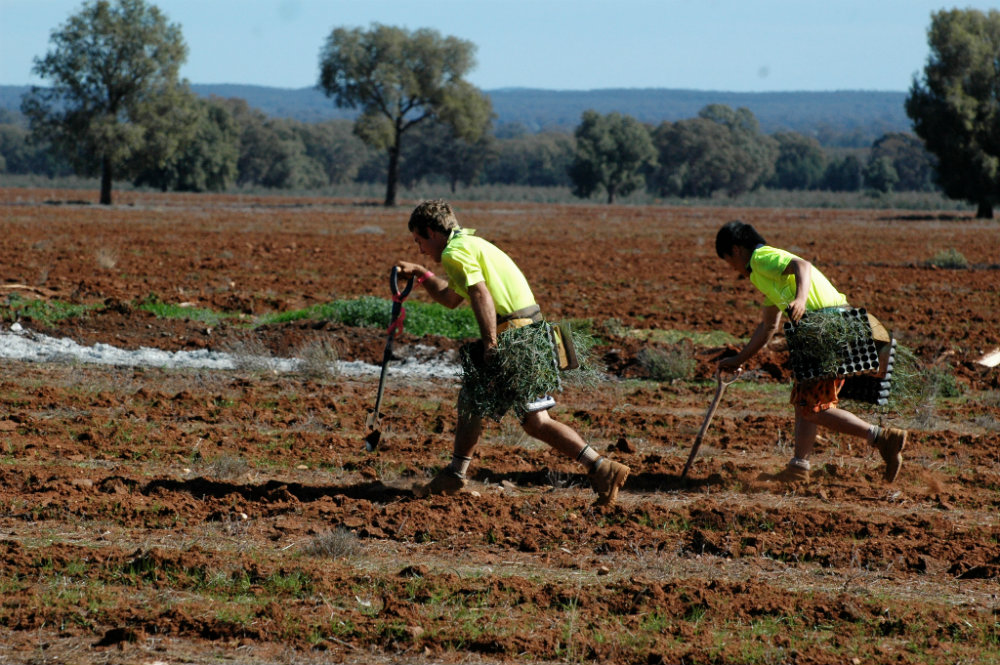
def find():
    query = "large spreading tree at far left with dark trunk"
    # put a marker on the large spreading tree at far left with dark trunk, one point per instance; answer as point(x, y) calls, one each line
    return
point(115, 107)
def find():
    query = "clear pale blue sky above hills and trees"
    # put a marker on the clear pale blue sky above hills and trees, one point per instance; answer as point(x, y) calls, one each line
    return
point(725, 45)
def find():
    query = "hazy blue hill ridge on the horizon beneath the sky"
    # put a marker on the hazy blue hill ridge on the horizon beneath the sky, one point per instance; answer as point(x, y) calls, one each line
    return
point(861, 112)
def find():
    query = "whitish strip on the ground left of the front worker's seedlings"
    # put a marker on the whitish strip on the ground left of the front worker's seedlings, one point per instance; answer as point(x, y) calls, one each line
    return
point(29, 346)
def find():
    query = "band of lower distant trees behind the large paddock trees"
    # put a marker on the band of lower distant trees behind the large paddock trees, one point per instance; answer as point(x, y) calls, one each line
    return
point(237, 146)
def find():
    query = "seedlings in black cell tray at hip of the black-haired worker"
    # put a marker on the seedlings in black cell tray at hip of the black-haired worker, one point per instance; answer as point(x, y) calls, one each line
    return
point(831, 342)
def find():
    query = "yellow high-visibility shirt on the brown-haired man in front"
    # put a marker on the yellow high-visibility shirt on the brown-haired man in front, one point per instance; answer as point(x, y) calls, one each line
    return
point(469, 260)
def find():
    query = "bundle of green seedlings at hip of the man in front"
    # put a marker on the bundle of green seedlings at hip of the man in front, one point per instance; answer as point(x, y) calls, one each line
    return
point(524, 369)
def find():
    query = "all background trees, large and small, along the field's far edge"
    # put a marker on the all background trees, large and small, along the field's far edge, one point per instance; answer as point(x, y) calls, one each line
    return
point(117, 109)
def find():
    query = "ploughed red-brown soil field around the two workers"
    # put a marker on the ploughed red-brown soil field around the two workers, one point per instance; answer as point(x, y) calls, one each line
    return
point(174, 515)
